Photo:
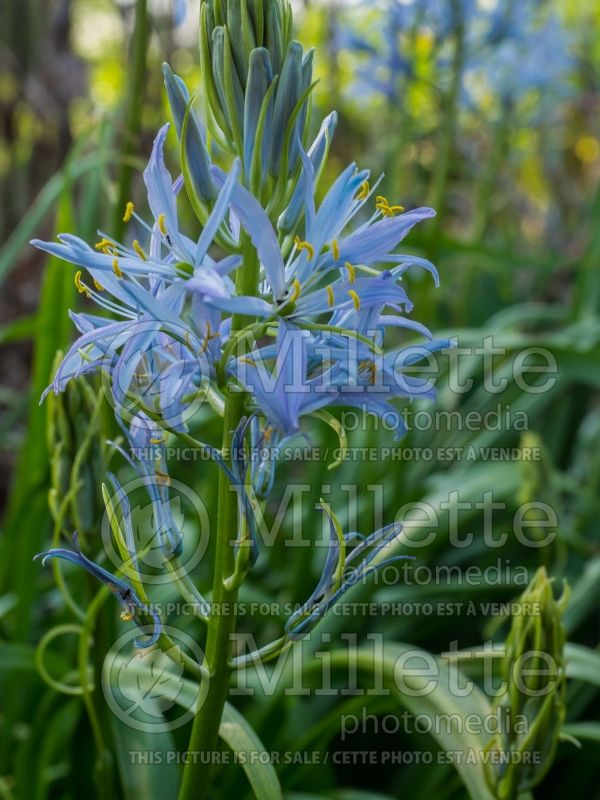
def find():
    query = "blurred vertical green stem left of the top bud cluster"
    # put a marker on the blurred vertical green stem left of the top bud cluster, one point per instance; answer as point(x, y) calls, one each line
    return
point(133, 119)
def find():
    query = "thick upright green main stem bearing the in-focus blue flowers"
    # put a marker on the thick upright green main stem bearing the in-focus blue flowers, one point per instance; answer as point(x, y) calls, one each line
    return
point(205, 729)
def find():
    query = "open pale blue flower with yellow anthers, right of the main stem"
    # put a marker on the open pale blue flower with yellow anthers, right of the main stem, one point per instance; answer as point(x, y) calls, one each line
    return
point(324, 267)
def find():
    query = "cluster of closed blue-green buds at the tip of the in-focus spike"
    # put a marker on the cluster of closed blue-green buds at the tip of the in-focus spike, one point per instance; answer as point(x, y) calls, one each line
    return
point(256, 83)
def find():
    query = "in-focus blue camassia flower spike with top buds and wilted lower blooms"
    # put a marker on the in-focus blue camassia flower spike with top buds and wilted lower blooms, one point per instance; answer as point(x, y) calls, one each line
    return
point(330, 297)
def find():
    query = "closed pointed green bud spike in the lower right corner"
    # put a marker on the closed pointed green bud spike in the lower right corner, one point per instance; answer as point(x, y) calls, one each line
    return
point(533, 704)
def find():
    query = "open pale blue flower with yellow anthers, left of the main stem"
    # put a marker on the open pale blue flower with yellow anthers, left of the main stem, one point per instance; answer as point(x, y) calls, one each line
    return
point(172, 286)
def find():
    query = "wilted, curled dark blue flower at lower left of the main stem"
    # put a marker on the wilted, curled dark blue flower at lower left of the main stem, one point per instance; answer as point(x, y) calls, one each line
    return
point(132, 605)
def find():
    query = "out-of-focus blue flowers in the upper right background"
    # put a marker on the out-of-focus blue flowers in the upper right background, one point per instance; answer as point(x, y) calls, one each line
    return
point(509, 48)
